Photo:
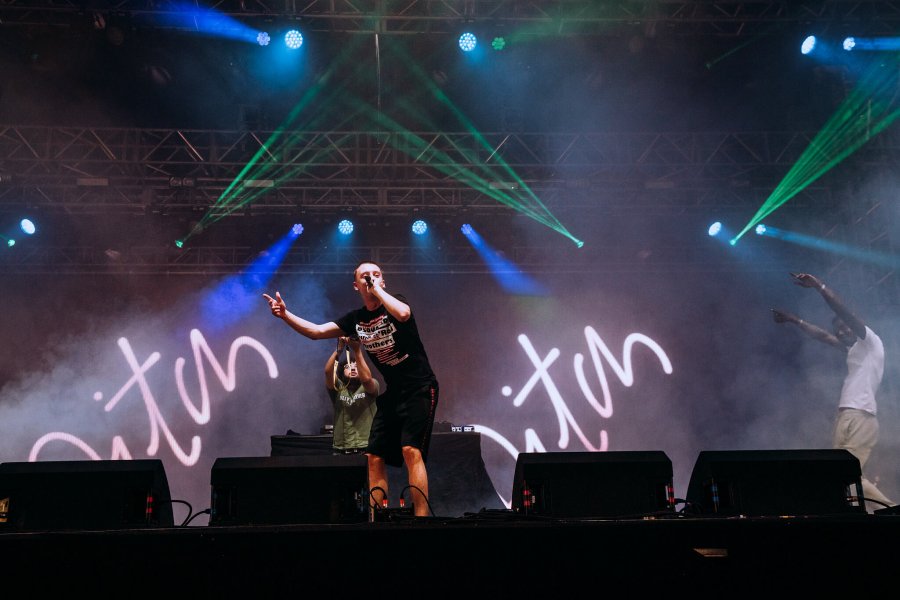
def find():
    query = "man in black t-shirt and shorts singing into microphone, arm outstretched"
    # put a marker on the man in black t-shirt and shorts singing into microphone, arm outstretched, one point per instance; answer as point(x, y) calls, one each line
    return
point(401, 429)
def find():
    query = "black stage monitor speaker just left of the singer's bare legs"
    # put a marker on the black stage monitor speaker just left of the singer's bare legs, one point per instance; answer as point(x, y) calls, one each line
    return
point(290, 489)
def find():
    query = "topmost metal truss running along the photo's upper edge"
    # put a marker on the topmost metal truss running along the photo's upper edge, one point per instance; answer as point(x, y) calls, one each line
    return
point(689, 17)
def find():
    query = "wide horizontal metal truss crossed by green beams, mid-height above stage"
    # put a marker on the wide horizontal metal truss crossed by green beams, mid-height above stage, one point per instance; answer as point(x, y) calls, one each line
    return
point(81, 170)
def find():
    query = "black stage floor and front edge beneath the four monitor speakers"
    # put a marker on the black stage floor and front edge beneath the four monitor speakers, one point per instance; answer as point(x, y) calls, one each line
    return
point(493, 553)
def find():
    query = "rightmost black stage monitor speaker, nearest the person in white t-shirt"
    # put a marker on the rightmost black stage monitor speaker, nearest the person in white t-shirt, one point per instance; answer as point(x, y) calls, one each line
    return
point(776, 483)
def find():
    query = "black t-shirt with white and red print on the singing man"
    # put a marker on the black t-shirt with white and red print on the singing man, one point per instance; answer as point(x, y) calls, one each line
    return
point(394, 346)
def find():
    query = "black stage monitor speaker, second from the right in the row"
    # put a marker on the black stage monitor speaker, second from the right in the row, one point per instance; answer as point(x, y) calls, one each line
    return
point(620, 484)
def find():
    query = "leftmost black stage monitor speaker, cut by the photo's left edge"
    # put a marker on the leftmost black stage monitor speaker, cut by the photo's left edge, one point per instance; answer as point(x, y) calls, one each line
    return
point(84, 494)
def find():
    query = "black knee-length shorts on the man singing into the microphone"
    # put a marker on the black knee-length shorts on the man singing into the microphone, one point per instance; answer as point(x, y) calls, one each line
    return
point(403, 418)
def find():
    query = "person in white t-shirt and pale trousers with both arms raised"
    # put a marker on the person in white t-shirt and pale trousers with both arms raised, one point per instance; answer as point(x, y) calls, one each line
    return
point(856, 423)
